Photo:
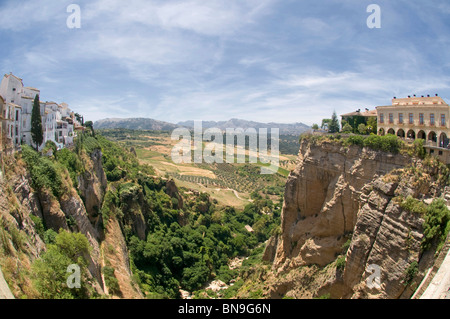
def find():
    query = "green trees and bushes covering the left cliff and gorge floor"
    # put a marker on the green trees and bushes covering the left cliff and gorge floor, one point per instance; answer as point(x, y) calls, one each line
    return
point(175, 238)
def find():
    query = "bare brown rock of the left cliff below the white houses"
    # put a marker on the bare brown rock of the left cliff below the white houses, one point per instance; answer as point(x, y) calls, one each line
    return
point(72, 212)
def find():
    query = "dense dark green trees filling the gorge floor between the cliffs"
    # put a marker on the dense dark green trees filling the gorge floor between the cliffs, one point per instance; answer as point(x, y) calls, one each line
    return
point(173, 254)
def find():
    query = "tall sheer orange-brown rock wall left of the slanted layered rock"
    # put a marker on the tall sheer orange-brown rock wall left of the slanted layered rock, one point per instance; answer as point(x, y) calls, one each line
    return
point(322, 200)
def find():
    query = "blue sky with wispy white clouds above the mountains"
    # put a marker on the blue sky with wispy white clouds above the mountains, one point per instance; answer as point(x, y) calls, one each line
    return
point(282, 61)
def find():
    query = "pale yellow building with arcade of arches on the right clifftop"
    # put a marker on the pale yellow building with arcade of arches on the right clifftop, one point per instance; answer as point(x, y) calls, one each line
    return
point(425, 117)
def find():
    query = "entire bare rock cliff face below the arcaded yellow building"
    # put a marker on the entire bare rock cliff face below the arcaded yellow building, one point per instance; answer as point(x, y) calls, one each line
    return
point(346, 197)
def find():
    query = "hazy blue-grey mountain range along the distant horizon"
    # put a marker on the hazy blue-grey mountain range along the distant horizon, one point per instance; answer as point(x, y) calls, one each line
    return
point(151, 124)
